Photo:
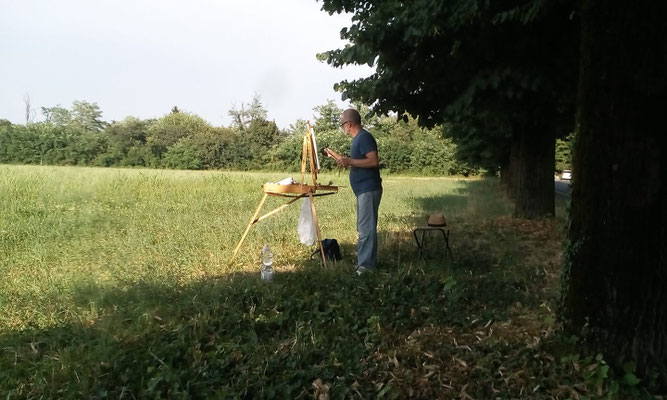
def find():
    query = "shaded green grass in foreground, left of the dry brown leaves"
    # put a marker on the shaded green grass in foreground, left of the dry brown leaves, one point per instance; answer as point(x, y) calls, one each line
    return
point(229, 337)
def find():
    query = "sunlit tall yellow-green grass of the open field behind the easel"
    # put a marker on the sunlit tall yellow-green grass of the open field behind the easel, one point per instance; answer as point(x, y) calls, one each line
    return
point(65, 227)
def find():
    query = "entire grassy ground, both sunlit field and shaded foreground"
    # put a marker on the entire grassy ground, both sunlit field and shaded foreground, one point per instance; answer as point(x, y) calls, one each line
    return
point(116, 284)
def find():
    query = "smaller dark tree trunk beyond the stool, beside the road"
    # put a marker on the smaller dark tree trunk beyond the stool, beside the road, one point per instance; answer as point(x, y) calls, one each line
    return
point(535, 177)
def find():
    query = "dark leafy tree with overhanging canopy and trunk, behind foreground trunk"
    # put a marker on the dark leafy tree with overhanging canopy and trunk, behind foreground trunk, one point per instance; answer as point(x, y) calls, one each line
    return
point(493, 73)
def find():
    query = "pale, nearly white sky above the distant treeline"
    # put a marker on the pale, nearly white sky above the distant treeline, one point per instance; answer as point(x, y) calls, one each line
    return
point(143, 57)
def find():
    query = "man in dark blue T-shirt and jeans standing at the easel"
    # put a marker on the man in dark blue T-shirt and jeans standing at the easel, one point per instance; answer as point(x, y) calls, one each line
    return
point(366, 185)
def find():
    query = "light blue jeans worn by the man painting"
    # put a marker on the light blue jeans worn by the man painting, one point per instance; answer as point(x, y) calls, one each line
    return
point(367, 216)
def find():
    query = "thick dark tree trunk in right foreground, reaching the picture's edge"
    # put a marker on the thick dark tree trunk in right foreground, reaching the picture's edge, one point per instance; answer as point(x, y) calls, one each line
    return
point(616, 265)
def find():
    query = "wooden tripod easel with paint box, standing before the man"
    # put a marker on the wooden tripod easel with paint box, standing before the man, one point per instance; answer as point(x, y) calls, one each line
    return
point(295, 191)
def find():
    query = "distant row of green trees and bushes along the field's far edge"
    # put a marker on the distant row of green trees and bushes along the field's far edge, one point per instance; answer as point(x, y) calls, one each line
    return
point(182, 140)
